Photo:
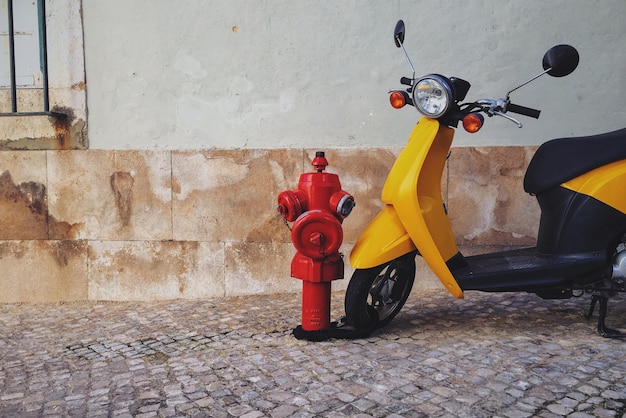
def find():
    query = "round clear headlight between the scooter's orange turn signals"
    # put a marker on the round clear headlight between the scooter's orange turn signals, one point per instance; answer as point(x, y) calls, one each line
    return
point(432, 95)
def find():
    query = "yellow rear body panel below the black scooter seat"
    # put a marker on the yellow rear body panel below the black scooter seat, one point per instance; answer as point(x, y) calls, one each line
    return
point(605, 184)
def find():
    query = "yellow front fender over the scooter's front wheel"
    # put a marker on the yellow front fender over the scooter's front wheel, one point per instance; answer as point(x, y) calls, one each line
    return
point(384, 239)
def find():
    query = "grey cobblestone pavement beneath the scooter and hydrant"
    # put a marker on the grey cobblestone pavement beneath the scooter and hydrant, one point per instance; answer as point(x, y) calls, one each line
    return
point(506, 355)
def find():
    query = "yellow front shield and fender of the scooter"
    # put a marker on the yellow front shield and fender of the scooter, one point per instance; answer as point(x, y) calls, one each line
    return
point(420, 215)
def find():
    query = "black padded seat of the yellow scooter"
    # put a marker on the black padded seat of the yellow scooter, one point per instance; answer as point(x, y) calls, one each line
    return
point(560, 160)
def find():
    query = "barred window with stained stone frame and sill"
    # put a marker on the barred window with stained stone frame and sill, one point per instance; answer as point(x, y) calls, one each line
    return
point(42, 75)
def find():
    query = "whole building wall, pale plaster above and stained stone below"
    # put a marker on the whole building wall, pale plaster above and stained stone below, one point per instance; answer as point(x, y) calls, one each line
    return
point(199, 116)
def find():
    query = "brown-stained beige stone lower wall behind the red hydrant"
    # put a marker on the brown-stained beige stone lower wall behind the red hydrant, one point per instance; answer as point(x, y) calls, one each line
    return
point(146, 225)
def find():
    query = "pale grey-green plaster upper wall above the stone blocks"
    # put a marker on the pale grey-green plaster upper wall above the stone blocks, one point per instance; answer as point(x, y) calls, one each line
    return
point(293, 74)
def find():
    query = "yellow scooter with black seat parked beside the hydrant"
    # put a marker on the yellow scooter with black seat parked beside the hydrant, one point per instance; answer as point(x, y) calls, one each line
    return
point(580, 185)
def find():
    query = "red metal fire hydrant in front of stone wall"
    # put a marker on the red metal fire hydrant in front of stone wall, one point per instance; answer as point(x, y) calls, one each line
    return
point(317, 209)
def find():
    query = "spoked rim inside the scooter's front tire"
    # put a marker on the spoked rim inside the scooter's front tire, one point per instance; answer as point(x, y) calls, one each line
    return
point(386, 292)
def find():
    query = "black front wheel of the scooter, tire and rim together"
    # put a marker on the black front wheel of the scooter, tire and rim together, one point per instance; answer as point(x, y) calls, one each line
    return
point(376, 295)
